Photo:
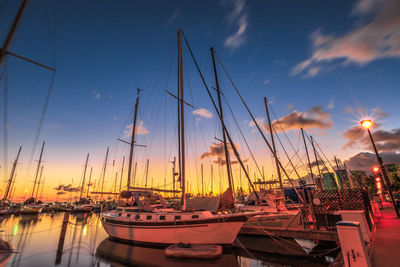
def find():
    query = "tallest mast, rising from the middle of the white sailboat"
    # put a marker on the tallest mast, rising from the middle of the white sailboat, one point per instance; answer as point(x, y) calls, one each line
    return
point(182, 120)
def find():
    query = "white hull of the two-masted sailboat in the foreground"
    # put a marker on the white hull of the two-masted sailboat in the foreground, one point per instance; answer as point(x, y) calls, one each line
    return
point(211, 231)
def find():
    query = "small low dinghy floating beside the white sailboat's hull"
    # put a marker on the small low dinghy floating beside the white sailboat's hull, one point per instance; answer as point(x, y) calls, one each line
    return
point(194, 251)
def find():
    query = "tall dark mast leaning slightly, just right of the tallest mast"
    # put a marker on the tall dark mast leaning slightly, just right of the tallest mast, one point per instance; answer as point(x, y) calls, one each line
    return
point(227, 159)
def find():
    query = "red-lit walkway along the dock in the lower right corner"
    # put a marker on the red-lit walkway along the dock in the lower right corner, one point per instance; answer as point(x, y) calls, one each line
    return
point(386, 247)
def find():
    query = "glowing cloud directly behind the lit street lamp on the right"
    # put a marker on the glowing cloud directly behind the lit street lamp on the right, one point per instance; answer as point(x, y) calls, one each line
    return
point(385, 140)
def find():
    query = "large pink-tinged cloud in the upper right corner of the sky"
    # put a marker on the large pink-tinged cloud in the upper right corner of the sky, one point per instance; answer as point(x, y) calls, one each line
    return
point(365, 42)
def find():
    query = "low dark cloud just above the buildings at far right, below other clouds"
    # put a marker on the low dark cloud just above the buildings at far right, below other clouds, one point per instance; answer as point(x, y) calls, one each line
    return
point(365, 160)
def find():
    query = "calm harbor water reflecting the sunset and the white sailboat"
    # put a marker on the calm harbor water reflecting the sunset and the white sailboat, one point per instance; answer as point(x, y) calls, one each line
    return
point(35, 240)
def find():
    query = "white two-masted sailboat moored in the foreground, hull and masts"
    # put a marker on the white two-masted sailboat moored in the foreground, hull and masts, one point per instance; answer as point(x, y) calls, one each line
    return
point(163, 226)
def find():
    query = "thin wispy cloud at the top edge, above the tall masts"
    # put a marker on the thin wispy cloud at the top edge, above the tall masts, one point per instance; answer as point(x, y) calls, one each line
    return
point(238, 16)
